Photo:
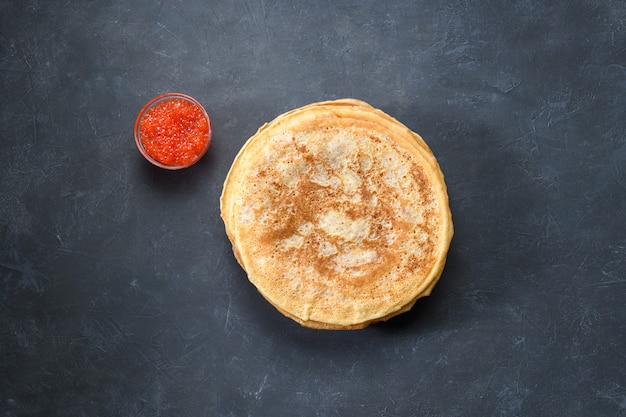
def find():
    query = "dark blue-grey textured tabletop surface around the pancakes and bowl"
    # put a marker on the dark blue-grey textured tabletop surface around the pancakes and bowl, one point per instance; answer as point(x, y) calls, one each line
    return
point(119, 293)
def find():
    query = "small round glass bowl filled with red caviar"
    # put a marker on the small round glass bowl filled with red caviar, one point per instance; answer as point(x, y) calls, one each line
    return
point(173, 130)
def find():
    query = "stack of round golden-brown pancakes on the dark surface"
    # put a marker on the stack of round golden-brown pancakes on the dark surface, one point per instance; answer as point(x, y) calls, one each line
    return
point(339, 215)
